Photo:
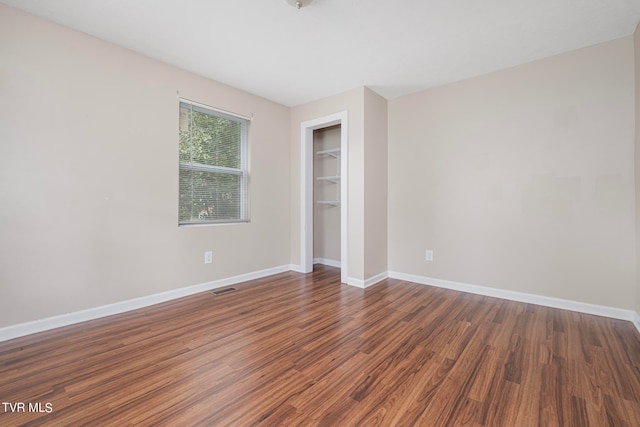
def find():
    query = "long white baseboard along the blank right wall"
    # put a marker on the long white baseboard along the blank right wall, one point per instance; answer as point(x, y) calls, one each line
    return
point(582, 307)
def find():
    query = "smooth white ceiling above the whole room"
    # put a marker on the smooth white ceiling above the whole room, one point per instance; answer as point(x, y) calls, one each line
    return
point(291, 56)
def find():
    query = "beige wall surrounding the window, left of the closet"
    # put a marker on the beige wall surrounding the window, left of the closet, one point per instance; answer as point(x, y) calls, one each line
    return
point(88, 176)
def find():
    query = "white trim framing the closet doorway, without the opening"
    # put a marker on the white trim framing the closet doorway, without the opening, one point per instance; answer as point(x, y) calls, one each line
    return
point(306, 190)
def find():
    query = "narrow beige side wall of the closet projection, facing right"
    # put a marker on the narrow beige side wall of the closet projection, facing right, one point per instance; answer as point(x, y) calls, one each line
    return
point(375, 184)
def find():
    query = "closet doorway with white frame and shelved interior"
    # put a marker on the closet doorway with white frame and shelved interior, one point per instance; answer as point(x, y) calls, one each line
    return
point(324, 193)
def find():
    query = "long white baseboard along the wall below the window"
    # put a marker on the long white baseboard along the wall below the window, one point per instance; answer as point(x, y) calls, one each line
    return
point(22, 329)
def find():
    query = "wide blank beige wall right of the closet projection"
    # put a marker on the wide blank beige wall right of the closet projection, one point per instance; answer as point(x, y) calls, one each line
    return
point(521, 179)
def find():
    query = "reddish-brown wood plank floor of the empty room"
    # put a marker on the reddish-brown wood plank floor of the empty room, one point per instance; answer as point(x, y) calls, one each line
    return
point(305, 350)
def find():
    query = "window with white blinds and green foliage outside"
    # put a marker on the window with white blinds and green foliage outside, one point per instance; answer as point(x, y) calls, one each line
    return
point(213, 166)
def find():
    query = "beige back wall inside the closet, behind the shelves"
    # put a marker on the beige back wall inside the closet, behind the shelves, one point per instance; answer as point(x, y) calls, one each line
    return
point(326, 218)
